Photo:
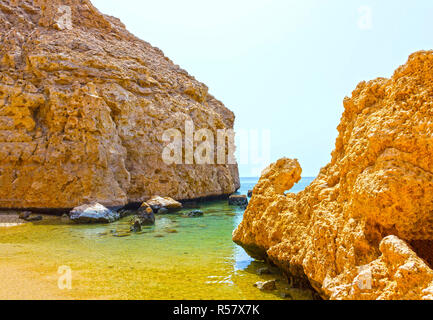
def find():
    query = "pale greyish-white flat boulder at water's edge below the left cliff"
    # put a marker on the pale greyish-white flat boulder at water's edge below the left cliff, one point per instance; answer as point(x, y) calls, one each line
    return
point(93, 213)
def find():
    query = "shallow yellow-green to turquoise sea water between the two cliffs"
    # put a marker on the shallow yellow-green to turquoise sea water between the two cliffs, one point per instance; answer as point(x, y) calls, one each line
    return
point(178, 258)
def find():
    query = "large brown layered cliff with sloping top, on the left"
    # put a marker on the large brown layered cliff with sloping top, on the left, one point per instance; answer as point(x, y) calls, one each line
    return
point(83, 108)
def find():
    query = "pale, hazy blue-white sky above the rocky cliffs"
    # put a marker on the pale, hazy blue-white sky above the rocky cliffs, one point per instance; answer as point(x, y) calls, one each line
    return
point(282, 65)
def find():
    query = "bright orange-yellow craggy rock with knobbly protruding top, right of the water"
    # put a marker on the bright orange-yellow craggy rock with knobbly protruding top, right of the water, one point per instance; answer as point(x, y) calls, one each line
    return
point(364, 228)
